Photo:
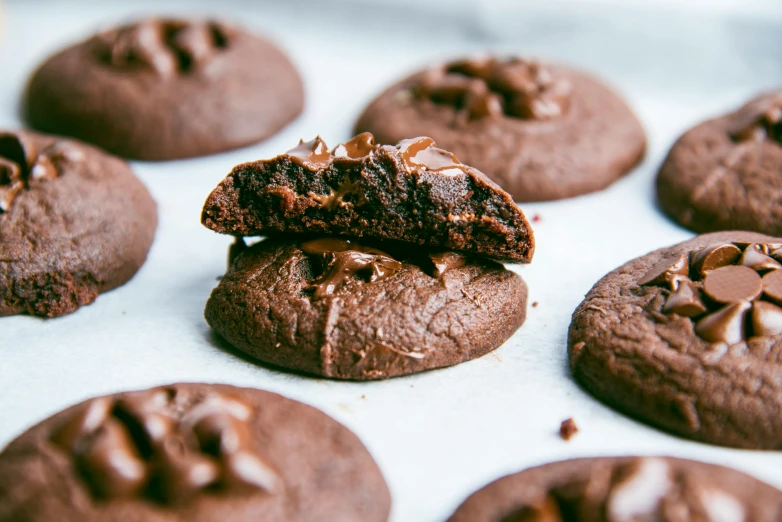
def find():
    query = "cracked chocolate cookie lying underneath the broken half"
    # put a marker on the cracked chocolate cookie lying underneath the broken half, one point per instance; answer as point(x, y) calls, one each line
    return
point(348, 310)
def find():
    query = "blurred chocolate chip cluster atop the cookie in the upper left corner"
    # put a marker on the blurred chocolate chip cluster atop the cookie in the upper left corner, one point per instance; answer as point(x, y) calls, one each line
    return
point(166, 47)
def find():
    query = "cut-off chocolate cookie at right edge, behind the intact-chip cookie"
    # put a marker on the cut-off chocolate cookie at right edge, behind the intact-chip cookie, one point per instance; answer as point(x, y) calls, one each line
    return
point(726, 173)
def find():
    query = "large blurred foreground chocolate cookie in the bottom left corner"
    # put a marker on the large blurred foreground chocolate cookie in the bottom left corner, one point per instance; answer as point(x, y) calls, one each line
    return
point(190, 452)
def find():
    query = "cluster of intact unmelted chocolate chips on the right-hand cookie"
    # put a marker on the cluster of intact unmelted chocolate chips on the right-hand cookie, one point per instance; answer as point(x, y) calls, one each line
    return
point(733, 291)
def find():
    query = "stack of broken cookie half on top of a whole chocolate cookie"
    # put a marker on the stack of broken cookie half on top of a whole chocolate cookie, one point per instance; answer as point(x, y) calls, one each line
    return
point(382, 260)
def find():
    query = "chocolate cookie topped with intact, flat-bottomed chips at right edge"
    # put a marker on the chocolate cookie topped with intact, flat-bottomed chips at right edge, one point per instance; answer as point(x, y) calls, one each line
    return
point(688, 339)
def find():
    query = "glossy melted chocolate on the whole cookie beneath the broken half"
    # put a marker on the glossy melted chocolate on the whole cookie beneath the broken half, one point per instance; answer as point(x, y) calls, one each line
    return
point(345, 260)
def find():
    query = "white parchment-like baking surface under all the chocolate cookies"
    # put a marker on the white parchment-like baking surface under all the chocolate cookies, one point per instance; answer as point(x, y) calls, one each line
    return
point(439, 435)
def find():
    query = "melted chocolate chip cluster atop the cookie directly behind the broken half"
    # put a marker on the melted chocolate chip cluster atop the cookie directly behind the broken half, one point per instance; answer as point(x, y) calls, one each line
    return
point(490, 87)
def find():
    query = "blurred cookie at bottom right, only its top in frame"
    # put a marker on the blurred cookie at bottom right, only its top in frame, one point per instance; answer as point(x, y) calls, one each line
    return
point(625, 489)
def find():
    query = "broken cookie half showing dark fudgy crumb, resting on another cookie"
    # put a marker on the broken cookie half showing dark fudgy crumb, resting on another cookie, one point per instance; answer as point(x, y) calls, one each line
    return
point(412, 192)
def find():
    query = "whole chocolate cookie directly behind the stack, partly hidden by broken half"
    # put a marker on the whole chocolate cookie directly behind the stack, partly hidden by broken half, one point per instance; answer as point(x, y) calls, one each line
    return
point(541, 131)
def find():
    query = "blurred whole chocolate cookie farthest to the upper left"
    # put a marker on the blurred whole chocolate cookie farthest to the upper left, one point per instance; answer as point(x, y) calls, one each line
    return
point(163, 89)
